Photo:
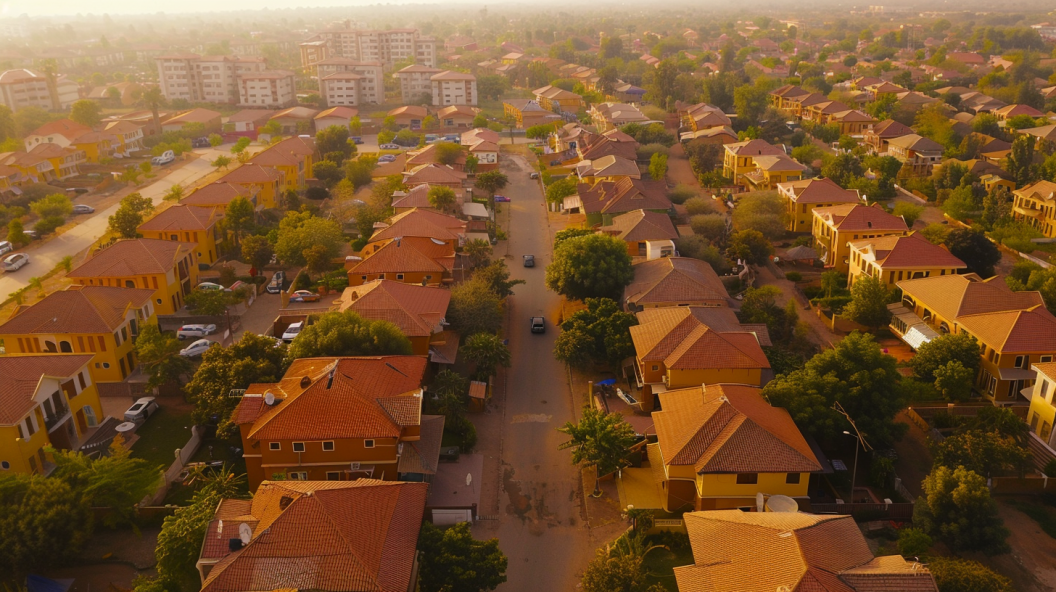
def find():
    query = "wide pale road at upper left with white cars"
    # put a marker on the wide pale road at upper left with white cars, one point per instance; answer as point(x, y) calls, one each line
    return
point(45, 257)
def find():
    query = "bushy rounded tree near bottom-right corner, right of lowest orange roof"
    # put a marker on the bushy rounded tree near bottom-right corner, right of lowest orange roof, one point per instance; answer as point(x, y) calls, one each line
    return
point(957, 509)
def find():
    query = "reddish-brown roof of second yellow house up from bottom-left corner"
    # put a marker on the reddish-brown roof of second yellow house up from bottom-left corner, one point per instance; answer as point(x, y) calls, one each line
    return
point(79, 310)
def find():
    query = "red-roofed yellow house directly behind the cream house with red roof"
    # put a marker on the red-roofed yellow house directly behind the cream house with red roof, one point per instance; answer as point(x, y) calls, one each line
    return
point(837, 226)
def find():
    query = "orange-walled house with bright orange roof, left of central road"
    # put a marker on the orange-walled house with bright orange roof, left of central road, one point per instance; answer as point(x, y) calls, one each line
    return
point(371, 406)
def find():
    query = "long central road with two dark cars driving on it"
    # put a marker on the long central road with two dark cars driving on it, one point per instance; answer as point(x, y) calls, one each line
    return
point(542, 530)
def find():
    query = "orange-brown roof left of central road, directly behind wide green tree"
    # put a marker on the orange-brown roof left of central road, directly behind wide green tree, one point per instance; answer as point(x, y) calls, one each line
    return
point(418, 311)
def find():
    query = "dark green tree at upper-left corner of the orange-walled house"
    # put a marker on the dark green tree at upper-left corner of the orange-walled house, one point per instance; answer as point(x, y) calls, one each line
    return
point(252, 359)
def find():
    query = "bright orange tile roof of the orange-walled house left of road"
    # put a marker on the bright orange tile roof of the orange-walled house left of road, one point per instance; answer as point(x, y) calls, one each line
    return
point(367, 398)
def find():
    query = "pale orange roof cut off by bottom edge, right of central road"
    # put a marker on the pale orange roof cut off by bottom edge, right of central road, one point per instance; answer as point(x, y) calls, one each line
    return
point(801, 552)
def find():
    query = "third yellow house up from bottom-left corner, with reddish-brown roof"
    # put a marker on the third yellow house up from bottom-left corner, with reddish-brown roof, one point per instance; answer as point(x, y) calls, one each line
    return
point(167, 268)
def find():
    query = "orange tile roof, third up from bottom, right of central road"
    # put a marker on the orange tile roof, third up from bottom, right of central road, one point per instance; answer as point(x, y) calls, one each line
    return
point(699, 337)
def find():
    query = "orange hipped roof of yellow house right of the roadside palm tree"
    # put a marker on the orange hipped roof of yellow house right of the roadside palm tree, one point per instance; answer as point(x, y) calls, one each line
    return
point(730, 429)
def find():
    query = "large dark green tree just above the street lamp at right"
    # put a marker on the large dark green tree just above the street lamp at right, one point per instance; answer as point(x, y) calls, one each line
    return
point(857, 375)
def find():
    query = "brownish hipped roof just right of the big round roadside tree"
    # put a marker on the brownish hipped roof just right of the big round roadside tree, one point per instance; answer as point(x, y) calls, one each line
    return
point(674, 281)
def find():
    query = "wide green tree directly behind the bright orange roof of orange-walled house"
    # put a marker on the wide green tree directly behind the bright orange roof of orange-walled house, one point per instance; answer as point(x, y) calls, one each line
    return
point(348, 334)
